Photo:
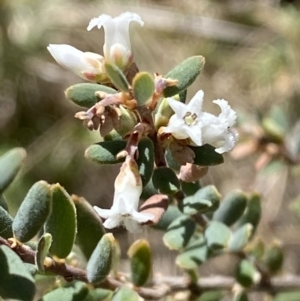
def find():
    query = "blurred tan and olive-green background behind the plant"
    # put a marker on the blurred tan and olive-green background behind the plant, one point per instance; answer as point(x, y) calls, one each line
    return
point(252, 51)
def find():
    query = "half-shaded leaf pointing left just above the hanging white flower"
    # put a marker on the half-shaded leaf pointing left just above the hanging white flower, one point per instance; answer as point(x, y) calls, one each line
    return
point(105, 152)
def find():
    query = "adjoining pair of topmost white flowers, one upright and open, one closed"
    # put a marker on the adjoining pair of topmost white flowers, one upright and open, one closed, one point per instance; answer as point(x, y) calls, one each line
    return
point(117, 48)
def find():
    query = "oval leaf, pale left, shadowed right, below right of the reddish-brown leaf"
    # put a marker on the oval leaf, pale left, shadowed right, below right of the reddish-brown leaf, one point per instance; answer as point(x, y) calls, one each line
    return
point(179, 233)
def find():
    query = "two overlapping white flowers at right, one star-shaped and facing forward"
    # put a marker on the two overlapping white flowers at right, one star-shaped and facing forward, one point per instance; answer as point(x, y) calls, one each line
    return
point(189, 122)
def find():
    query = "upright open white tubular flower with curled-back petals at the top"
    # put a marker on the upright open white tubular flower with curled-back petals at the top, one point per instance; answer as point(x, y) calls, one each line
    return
point(117, 48)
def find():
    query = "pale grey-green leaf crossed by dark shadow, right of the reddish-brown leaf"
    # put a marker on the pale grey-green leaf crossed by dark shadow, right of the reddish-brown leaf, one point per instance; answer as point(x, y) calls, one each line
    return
point(205, 199)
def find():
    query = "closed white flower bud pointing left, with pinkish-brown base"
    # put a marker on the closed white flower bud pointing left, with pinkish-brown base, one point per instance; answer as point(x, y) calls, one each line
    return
point(87, 65)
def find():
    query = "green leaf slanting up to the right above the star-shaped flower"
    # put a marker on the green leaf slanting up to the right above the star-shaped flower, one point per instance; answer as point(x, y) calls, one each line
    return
point(186, 73)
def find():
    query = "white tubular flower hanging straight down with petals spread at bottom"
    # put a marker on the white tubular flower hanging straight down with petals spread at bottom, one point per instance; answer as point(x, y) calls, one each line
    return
point(124, 211)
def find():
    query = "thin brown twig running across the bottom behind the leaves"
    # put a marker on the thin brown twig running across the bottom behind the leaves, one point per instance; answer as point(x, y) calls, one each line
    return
point(160, 286)
